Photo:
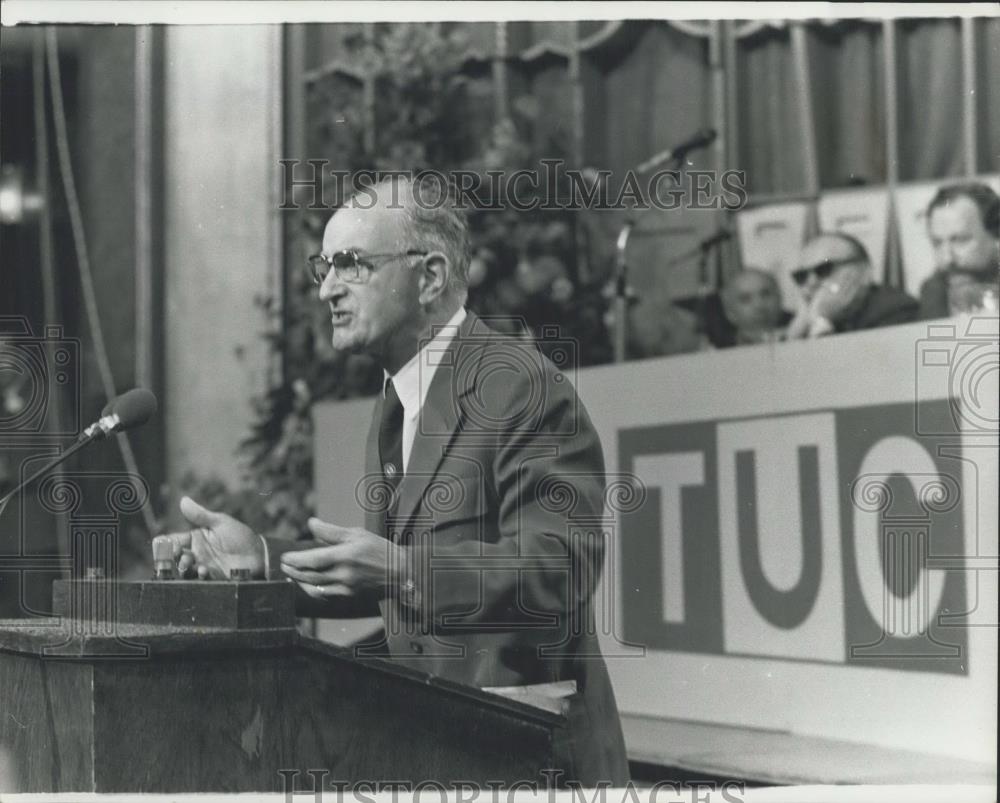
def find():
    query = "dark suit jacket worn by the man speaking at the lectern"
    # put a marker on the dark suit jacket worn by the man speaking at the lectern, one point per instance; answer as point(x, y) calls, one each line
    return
point(500, 513)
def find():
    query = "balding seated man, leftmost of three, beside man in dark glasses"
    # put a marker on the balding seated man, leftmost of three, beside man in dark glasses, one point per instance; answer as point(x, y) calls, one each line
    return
point(752, 311)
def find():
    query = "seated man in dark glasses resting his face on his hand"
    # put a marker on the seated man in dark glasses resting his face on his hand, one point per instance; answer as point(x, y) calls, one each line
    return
point(838, 294)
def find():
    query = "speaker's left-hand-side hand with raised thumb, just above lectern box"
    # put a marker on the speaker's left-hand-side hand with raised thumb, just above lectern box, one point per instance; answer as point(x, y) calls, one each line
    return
point(217, 544)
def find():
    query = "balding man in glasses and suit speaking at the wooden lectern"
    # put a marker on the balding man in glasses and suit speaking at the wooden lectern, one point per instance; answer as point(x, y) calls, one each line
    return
point(479, 445)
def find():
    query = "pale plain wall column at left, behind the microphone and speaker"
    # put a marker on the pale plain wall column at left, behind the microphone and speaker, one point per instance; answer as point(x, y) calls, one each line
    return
point(222, 234)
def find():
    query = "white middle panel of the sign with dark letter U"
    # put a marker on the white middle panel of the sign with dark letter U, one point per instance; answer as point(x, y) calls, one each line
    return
point(779, 528)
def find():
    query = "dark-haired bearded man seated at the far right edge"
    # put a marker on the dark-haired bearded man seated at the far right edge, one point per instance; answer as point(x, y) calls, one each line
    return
point(963, 223)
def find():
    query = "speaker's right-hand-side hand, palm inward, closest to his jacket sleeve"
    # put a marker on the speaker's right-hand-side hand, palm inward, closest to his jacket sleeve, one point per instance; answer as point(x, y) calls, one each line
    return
point(355, 562)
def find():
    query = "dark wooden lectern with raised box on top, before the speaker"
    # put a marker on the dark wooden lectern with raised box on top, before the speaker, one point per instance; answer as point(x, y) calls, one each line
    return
point(196, 686)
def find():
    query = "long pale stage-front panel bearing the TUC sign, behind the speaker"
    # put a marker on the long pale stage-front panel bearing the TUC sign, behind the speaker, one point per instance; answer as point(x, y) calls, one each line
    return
point(813, 546)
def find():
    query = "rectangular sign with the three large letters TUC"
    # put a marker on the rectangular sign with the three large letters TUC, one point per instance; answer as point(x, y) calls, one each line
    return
point(735, 548)
